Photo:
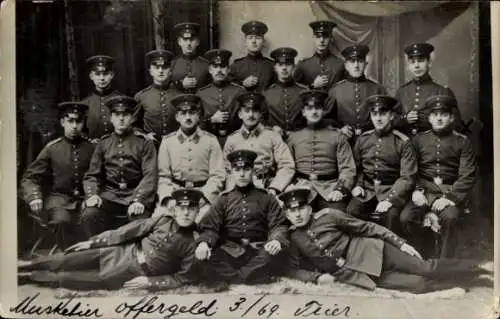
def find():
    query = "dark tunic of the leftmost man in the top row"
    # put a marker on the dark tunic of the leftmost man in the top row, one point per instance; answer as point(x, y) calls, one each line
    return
point(192, 66)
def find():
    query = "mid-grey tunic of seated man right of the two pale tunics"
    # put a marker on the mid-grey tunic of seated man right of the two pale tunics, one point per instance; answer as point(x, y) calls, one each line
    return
point(323, 151)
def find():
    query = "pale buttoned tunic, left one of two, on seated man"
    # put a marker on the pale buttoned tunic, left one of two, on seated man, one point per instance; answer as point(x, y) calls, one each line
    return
point(195, 158)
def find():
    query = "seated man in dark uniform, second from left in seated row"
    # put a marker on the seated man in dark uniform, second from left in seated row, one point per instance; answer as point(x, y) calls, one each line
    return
point(121, 181)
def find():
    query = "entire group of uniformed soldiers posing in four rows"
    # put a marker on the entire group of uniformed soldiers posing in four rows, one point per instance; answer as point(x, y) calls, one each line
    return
point(242, 172)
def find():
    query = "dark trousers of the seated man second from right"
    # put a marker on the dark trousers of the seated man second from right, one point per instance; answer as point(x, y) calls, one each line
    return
point(365, 211)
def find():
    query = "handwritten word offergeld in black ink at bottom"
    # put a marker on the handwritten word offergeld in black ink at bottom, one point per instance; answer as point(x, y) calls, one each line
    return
point(148, 305)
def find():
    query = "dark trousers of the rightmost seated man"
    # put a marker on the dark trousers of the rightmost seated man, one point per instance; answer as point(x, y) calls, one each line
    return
point(411, 223)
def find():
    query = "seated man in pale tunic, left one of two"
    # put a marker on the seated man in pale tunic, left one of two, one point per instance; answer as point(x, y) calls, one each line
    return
point(189, 157)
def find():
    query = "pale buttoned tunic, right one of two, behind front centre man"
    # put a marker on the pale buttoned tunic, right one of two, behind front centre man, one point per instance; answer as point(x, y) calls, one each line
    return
point(274, 160)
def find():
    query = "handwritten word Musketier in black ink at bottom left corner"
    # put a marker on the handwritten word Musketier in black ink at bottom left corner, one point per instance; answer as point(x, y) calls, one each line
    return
point(64, 308)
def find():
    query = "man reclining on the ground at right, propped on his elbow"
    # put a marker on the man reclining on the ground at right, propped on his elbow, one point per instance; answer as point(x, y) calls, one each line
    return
point(340, 247)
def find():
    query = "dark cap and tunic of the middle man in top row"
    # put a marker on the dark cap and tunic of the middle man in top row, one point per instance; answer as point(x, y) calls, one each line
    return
point(253, 64)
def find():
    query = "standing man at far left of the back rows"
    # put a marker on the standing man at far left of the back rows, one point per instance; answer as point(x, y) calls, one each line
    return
point(101, 74)
